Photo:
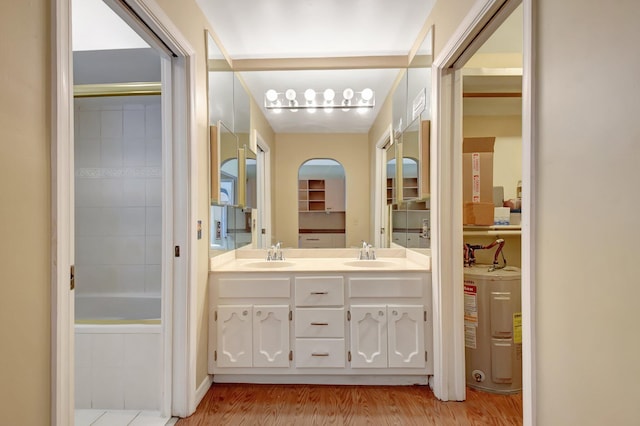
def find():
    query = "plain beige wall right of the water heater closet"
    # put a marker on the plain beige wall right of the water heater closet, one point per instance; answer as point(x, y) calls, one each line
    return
point(586, 209)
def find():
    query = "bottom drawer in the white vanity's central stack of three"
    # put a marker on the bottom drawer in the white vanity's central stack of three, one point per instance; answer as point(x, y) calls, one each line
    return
point(320, 353)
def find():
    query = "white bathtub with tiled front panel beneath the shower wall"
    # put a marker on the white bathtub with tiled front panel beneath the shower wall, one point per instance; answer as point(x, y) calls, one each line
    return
point(118, 352)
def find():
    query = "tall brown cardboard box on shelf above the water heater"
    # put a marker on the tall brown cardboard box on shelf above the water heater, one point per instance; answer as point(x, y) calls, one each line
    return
point(477, 169)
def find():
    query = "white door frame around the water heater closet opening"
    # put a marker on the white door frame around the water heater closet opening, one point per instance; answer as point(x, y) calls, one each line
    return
point(446, 176)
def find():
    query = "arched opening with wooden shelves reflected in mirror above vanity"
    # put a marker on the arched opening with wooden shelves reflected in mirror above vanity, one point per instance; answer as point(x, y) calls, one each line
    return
point(321, 204)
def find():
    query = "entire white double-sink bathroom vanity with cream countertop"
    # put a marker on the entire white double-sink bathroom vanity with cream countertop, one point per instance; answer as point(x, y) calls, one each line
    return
point(321, 316)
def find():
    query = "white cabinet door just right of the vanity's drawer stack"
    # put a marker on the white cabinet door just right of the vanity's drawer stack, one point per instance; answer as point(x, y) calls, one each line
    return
point(368, 336)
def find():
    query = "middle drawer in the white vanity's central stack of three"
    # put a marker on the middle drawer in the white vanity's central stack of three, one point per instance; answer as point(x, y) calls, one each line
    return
point(321, 322)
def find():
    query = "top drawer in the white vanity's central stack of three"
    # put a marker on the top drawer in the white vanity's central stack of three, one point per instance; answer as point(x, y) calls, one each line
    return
point(319, 291)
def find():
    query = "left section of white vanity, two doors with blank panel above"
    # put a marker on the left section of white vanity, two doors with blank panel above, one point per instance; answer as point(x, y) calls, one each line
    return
point(254, 333)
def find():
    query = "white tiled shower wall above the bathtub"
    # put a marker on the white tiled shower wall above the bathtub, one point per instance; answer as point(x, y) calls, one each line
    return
point(118, 193)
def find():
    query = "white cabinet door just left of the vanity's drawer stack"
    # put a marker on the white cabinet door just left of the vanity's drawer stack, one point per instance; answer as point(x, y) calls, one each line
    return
point(271, 335)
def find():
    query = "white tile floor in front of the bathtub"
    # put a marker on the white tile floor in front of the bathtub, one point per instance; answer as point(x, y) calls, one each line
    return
point(121, 418)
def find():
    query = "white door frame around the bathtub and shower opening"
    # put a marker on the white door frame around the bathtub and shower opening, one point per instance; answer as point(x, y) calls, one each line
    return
point(179, 293)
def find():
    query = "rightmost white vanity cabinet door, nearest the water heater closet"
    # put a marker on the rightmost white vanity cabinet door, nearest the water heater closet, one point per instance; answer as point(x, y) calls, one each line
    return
point(406, 336)
